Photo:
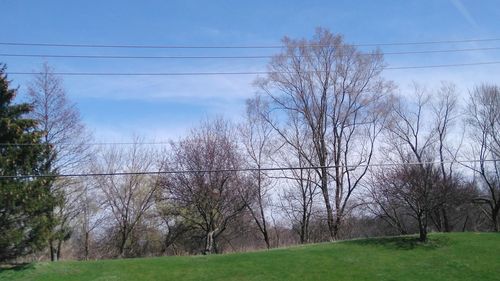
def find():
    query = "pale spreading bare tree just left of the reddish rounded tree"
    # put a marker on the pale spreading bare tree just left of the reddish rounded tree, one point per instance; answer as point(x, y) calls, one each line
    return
point(127, 198)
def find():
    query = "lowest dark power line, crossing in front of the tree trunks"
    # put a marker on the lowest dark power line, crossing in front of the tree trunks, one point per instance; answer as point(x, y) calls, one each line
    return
point(243, 169)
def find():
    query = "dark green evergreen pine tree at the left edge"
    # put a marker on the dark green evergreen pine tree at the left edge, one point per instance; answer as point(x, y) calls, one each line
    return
point(25, 202)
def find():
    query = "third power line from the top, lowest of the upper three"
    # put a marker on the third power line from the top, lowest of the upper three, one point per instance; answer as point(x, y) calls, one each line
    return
point(236, 73)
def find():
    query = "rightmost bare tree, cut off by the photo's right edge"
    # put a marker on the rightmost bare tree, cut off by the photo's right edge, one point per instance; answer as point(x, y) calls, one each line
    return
point(484, 119)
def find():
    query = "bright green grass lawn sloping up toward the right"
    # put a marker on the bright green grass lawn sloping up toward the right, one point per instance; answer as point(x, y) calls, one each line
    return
point(456, 256)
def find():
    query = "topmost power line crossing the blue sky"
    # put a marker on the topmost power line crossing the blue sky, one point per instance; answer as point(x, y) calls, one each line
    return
point(38, 44)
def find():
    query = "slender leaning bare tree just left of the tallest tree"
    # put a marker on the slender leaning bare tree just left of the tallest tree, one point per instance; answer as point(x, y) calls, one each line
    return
point(256, 137)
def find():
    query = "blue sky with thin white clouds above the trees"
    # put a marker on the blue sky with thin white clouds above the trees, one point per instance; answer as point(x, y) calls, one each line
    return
point(160, 108)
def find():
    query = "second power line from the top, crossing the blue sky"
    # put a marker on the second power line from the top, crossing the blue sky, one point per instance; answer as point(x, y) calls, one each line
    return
point(230, 57)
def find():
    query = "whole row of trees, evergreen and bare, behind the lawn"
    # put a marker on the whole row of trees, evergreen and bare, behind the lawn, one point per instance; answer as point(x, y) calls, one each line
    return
point(354, 156)
